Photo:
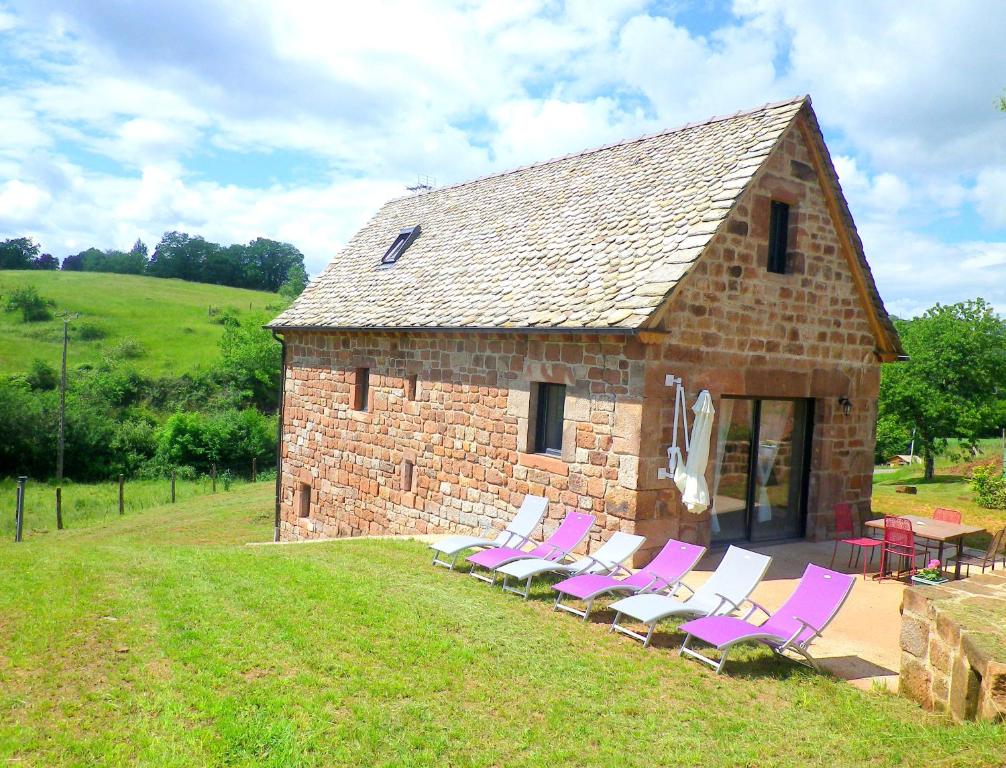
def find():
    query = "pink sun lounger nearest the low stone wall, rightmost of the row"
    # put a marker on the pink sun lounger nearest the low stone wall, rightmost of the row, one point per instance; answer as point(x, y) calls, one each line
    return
point(801, 621)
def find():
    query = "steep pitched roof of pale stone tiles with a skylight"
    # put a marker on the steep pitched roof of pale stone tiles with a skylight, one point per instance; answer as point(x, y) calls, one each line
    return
point(592, 241)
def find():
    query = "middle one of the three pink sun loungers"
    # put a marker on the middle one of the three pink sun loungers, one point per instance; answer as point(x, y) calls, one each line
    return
point(663, 572)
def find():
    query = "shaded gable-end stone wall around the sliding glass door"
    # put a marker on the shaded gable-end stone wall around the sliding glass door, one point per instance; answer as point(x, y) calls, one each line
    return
point(736, 329)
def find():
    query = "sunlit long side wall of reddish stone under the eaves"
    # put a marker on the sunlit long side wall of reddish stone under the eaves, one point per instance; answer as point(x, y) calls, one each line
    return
point(444, 445)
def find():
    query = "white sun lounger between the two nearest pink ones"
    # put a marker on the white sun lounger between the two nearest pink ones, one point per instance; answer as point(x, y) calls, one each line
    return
point(734, 580)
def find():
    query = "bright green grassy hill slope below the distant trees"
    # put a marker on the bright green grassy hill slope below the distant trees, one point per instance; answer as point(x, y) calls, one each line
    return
point(165, 325)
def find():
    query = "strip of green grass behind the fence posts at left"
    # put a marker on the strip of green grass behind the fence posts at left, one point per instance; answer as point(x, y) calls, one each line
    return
point(86, 504)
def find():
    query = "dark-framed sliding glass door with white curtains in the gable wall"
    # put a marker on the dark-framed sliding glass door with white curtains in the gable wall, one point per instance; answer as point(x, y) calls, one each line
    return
point(761, 470)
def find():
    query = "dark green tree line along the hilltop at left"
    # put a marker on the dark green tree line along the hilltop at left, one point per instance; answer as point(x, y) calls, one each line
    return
point(263, 264)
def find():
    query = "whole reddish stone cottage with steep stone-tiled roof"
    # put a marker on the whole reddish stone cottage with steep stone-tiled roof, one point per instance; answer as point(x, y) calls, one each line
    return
point(515, 335)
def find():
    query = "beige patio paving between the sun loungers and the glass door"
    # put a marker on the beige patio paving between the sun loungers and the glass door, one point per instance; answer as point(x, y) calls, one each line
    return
point(862, 645)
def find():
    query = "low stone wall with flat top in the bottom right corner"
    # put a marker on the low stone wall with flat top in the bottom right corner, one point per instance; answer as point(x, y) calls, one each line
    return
point(954, 647)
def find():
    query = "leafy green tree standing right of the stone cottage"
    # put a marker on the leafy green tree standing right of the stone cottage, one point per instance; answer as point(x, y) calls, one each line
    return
point(949, 387)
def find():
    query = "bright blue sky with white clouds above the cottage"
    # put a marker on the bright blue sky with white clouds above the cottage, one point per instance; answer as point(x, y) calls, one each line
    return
point(295, 120)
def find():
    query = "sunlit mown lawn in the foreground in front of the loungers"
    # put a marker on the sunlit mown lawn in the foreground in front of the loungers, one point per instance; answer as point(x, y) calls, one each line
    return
point(159, 640)
